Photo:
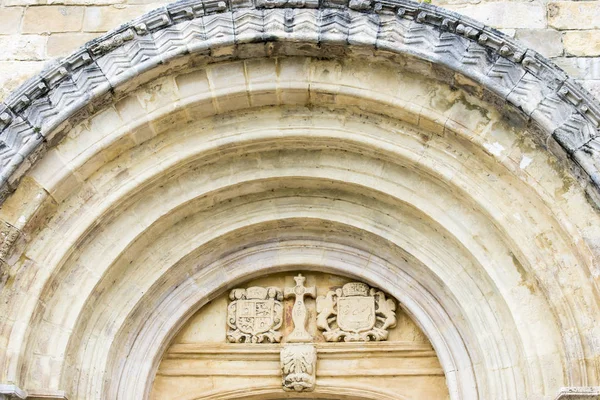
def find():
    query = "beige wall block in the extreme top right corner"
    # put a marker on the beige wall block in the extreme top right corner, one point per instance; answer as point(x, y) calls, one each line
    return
point(574, 14)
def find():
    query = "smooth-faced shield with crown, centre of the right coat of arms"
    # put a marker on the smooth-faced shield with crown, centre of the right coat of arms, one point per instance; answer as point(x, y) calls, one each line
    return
point(356, 309)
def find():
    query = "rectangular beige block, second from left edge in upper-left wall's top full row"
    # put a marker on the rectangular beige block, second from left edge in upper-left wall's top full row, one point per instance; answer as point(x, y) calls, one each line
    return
point(52, 19)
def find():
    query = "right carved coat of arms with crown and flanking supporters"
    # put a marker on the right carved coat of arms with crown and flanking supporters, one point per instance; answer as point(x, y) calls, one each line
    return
point(355, 313)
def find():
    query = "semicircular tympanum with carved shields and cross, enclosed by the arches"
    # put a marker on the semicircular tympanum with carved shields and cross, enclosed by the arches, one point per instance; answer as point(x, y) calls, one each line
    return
point(267, 335)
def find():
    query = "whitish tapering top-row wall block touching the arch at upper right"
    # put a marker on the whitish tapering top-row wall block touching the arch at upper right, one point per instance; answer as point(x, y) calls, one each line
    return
point(505, 14)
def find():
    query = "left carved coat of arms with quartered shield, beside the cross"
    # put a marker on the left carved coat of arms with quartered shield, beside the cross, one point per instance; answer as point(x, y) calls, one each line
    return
point(254, 315)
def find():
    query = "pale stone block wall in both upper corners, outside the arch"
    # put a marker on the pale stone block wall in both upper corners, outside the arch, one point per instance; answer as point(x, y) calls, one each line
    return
point(35, 31)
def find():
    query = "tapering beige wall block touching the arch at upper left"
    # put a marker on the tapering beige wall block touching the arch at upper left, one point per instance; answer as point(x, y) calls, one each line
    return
point(103, 19)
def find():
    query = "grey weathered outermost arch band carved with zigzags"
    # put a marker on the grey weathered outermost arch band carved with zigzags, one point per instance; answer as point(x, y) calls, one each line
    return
point(520, 76)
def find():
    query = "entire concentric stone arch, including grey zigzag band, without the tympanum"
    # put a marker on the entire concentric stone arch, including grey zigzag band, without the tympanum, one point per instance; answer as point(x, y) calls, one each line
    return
point(198, 64)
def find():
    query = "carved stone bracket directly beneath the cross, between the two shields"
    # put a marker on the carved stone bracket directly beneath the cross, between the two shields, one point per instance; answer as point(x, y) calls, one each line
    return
point(298, 367)
